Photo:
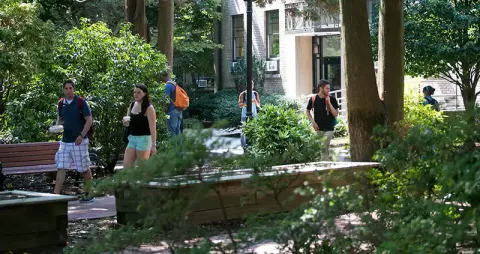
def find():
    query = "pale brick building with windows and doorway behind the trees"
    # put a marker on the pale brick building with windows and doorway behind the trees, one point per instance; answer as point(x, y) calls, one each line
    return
point(298, 52)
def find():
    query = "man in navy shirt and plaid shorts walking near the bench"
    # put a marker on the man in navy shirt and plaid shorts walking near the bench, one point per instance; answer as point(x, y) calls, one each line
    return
point(76, 118)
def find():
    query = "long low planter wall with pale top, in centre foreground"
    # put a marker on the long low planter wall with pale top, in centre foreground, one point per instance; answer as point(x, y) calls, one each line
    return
point(239, 196)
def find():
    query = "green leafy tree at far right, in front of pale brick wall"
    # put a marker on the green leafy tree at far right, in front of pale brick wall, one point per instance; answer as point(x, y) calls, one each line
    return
point(442, 38)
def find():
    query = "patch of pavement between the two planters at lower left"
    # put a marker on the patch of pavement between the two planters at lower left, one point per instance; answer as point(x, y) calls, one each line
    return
point(102, 207)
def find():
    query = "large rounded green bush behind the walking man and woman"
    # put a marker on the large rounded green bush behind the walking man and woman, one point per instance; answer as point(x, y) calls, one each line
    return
point(105, 68)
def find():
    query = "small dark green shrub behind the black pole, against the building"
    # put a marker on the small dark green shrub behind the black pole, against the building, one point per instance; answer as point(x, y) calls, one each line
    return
point(239, 74)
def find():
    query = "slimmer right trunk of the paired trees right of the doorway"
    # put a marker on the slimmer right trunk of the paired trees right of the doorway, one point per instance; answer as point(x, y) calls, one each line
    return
point(391, 57)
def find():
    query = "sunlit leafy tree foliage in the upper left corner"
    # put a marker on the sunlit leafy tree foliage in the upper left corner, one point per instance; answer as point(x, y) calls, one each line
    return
point(24, 45)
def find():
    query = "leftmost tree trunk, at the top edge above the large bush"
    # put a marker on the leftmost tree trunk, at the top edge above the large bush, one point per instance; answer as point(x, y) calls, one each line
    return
point(135, 11)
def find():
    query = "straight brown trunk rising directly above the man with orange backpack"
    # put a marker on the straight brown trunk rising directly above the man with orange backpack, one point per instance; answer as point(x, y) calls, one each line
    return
point(165, 29)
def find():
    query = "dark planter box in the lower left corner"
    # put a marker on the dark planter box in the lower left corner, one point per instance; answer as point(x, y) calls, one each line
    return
point(29, 220)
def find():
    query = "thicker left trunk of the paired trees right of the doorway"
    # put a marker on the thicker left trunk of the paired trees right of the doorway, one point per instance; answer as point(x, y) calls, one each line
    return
point(364, 107)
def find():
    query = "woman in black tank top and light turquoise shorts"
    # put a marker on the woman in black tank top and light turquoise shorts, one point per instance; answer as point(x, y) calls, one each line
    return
point(141, 121)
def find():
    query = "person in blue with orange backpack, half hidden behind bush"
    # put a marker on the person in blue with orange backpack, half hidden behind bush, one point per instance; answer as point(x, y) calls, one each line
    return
point(179, 101)
